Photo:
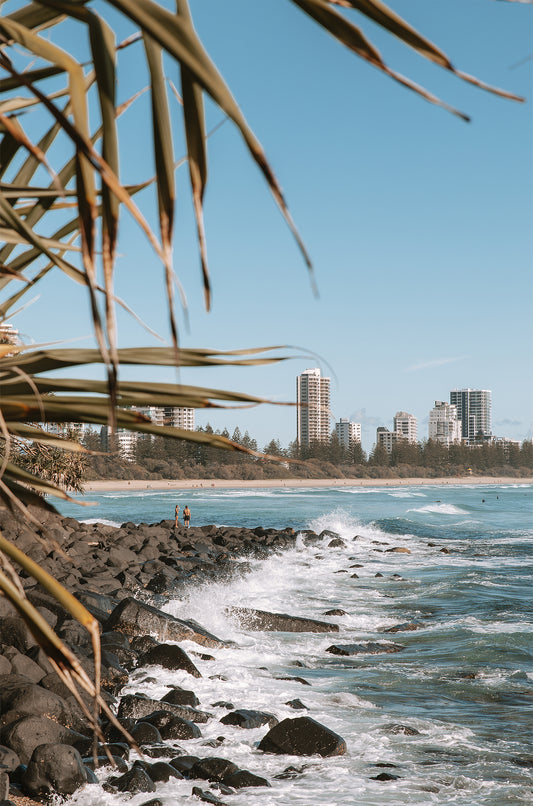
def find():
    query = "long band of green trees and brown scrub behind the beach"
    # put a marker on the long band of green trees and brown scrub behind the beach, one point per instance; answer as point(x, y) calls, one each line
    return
point(160, 458)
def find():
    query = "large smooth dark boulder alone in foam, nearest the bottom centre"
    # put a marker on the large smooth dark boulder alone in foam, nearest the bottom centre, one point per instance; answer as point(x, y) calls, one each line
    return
point(302, 736)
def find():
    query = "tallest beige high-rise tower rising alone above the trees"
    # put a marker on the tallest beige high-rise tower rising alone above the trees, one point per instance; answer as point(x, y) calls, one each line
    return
point(312, 408)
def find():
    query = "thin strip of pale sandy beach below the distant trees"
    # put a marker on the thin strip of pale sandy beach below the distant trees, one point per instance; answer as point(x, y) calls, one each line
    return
point(123, 485)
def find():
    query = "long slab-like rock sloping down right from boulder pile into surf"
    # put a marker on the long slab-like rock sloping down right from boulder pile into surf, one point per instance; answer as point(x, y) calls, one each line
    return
point(136, 618)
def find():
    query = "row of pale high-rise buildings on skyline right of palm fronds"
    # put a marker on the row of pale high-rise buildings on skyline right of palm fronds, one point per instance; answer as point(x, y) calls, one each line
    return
point(465, 419)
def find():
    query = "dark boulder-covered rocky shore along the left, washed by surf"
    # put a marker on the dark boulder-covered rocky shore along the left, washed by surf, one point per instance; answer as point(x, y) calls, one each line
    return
point(123, 576)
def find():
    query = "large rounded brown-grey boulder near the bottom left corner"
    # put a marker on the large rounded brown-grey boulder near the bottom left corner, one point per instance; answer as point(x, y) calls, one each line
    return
point(54, 768)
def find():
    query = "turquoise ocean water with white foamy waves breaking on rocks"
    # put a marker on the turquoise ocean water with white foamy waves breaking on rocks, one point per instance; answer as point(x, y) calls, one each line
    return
point(461, 687)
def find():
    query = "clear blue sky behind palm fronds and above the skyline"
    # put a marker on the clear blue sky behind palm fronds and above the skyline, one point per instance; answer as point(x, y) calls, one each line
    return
point(419, 225)
